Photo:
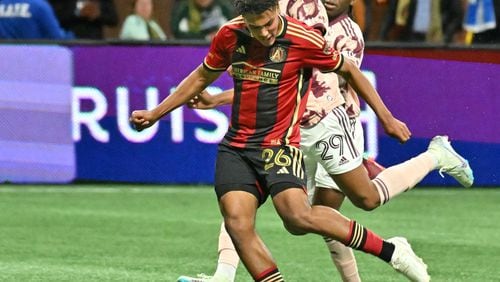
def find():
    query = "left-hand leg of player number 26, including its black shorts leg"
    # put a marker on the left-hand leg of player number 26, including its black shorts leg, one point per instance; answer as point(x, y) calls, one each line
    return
point(240, 194)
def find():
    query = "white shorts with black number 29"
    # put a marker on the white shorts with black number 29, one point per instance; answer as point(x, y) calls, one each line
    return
point(336, 143)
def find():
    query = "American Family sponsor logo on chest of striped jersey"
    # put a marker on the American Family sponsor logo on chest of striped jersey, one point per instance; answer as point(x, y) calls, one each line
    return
point(246, 71)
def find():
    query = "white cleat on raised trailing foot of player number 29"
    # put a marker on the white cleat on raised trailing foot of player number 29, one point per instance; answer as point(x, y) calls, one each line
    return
point(450, 162)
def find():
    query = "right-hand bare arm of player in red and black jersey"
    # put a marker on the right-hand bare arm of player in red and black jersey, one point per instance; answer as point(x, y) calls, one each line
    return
point(392, 126)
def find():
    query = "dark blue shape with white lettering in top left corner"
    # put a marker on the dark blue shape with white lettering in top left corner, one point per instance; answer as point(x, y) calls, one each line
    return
point(29, 19)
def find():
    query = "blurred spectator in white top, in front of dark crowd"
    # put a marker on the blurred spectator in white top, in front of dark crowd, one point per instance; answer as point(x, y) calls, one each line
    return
point(140, 25)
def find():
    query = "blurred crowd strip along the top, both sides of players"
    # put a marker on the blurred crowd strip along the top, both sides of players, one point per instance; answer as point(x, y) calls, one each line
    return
point(432, 21)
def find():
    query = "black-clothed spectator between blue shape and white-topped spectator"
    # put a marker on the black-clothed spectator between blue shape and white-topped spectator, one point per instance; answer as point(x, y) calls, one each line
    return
point(86, 18)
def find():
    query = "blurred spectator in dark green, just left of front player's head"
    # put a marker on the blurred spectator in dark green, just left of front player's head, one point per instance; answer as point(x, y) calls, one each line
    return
point(199, 19)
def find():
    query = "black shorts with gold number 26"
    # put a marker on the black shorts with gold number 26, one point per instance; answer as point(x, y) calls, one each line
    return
point(261, 172)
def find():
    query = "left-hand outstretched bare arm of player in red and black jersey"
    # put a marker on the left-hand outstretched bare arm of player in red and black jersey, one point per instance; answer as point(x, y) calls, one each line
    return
point(193, 84)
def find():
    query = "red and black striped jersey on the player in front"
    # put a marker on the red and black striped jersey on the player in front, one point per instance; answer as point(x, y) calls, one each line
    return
point(270, 83)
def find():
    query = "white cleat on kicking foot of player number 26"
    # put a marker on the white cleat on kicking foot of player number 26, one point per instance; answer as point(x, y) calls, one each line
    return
point(405, 261)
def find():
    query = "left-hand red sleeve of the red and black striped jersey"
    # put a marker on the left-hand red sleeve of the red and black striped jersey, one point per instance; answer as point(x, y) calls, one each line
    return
point(221, 50)
